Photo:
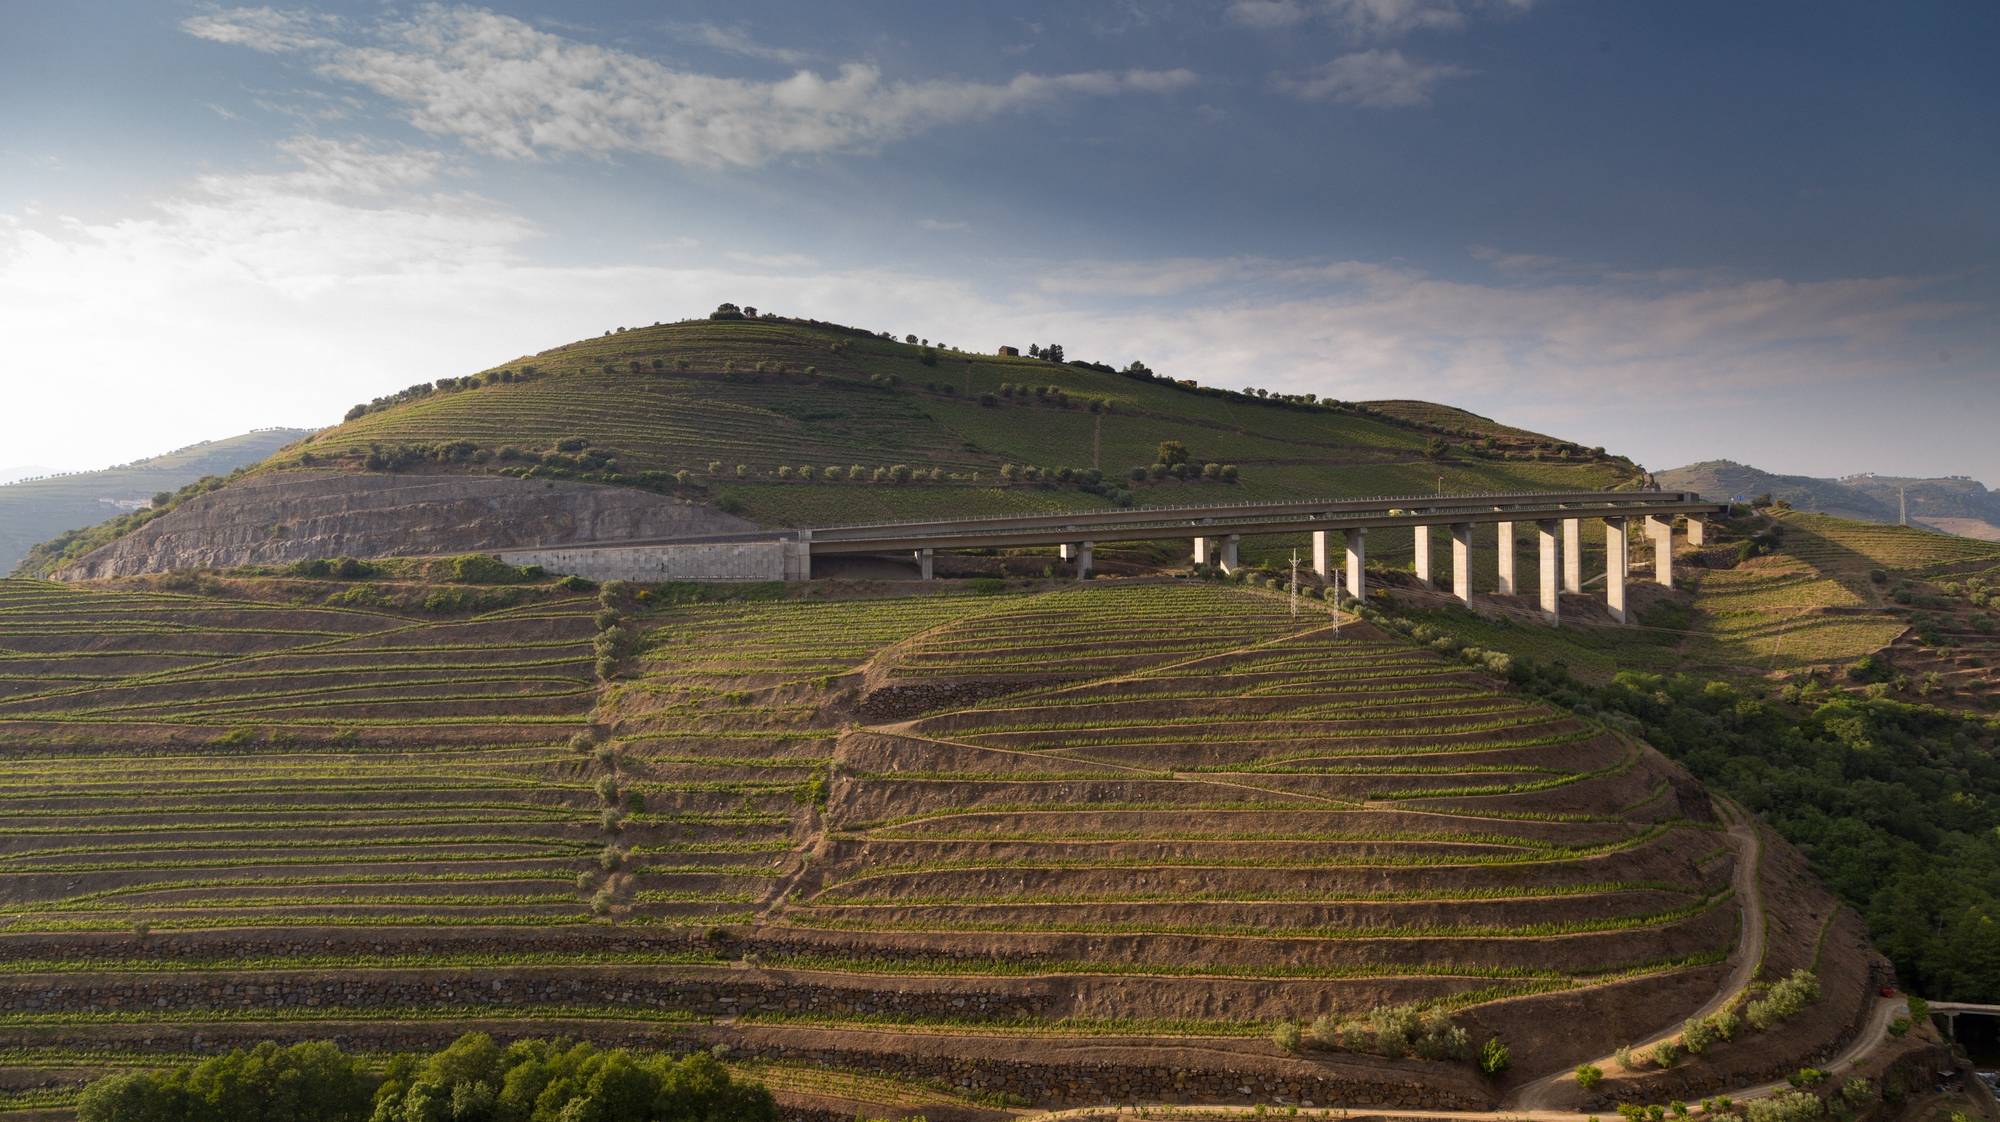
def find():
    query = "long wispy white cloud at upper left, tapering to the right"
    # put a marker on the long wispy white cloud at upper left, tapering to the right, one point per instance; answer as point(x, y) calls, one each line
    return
point(513, 91)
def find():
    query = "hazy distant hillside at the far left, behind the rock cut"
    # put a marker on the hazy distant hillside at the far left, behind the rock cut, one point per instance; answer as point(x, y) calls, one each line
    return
point(39, 509)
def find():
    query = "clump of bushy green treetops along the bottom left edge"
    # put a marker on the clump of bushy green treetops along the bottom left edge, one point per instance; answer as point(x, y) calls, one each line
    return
point(473, 1081)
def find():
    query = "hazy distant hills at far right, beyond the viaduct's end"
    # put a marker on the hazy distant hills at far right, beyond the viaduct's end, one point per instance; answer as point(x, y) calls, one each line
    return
point(1955, 505)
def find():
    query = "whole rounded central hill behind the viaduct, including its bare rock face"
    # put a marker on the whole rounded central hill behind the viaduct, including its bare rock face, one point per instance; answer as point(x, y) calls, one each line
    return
point(737, 423)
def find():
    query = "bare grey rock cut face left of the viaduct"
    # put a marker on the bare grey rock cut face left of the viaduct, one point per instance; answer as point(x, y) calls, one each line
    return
point(293, 517)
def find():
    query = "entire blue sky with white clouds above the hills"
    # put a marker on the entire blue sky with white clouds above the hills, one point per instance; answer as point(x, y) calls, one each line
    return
point(1683, 231)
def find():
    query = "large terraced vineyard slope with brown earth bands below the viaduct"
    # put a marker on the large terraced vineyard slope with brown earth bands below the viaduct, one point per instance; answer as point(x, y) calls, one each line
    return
point(1027, 845)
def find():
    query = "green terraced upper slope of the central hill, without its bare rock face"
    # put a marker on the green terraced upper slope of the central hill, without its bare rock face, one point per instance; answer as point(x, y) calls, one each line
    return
point(665, 421)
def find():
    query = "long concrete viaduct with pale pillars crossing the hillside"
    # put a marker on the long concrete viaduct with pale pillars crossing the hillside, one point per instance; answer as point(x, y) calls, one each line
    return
point(1337, 527)
